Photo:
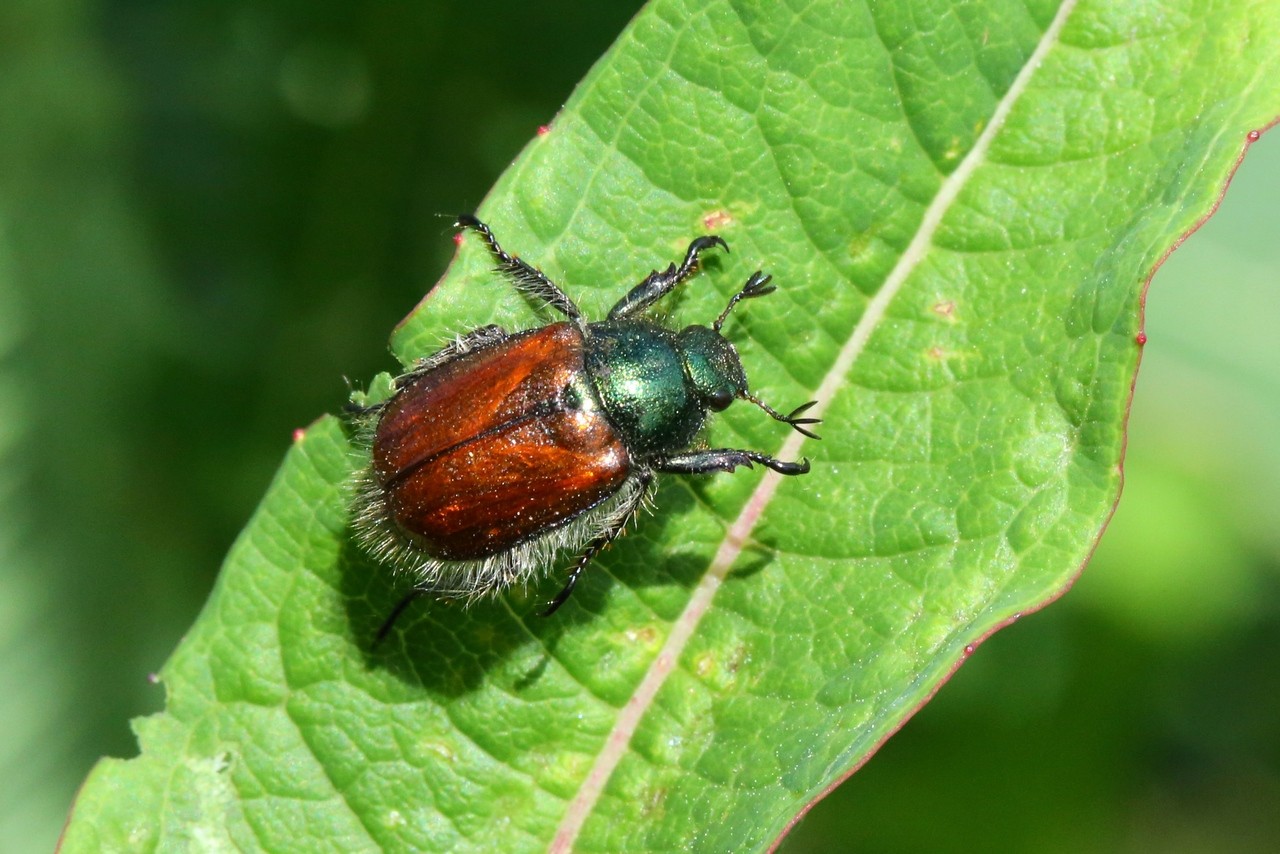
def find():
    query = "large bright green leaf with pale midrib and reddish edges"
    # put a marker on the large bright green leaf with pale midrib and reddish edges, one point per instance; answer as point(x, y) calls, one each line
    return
point(962, 205)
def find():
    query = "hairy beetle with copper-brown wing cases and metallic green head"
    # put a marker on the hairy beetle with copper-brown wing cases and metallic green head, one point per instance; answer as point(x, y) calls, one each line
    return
point(505, 449)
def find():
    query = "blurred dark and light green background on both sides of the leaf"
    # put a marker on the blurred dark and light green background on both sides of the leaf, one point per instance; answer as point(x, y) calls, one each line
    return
point(212, 213)
